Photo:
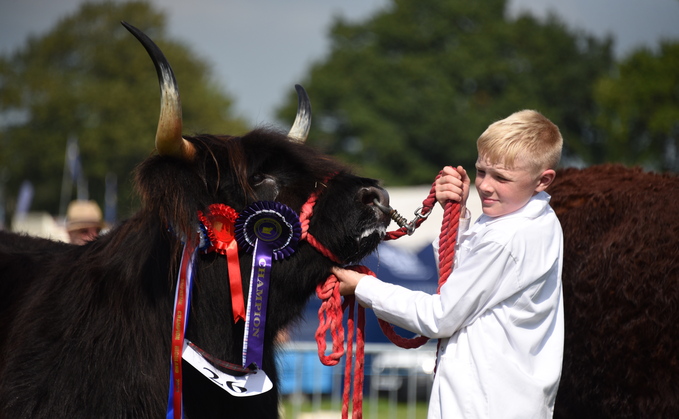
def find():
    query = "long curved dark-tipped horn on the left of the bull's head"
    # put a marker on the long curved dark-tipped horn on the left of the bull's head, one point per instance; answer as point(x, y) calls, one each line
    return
point(169, 140)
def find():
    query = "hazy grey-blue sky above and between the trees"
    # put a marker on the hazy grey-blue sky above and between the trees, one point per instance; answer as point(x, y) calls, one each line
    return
point(260, 48)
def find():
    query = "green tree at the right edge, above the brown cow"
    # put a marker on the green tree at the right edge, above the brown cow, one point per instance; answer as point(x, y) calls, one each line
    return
point(639, 110)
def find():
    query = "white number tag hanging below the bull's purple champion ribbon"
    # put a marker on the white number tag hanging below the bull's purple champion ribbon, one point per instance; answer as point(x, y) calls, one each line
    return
point(239, 386)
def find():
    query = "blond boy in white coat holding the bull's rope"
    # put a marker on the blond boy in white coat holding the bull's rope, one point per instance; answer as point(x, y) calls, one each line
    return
point(500, 314)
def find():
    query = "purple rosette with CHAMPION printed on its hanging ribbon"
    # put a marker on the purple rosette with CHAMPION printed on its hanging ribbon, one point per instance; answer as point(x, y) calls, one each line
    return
point(270, 231)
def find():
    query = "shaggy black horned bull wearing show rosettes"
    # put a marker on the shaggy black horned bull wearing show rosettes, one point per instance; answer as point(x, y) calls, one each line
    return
point(85, 330)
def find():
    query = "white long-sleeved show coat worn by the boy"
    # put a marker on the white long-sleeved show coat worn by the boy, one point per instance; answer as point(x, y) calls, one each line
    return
point(499, 317)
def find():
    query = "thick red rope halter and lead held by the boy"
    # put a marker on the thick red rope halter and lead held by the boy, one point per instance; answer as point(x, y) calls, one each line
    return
point(331, 311)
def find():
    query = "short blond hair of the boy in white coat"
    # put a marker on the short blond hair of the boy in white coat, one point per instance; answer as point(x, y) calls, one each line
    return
point(526, 135)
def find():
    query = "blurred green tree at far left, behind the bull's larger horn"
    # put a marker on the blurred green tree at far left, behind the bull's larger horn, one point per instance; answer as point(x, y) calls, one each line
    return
point(90, 79)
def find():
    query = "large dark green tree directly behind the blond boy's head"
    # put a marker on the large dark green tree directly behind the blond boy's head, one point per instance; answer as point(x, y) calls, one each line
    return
point(410, 89)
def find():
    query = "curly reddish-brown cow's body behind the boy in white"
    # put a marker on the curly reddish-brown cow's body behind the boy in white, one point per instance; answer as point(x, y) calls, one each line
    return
point(621, 293)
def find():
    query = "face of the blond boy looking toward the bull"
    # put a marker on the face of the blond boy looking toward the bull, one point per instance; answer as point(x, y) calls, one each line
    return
point(503, 190)
